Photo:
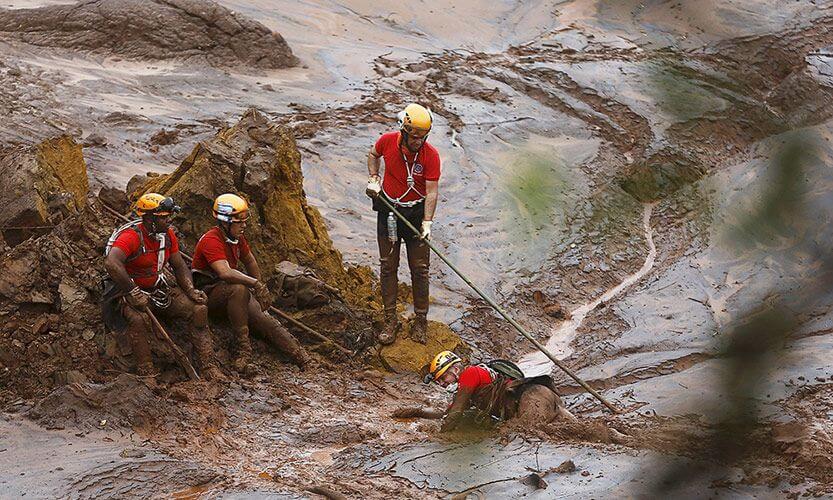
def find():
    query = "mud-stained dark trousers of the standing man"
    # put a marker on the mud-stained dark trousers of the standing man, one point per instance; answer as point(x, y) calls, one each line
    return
point(418, 260)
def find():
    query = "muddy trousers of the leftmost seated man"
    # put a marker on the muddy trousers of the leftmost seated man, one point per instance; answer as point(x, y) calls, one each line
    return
point(181, 307)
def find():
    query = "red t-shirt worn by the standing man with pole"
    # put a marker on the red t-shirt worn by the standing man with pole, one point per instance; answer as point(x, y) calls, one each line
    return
point(425, 167)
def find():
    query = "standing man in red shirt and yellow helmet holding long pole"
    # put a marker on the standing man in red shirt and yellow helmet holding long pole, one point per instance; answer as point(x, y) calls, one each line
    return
point(410, 183)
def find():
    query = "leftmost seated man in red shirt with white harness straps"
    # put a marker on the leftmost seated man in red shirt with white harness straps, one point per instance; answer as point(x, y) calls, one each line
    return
point(135, 260)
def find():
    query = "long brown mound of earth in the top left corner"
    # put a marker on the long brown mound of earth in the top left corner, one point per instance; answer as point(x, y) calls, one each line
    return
point(197, 30)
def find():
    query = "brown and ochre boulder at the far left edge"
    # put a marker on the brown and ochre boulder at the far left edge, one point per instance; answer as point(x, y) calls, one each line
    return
point(39, 186)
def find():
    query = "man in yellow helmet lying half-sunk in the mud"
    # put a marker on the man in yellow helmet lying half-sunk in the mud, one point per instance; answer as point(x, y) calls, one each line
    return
point(488, 393)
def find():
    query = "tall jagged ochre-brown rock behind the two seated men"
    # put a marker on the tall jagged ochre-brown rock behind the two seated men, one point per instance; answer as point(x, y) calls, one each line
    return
point(259, 160)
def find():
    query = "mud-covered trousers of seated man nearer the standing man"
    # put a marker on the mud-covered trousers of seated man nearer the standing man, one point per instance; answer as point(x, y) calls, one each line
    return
point(236, 302)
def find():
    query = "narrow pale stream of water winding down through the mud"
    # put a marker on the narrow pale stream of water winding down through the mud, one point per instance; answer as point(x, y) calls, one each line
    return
point(536, 363)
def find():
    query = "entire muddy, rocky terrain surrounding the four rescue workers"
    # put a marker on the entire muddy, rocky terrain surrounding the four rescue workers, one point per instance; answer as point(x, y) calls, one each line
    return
point(643, 185)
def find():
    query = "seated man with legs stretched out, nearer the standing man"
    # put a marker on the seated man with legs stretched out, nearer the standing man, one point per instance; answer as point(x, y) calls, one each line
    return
point(215, 266)
